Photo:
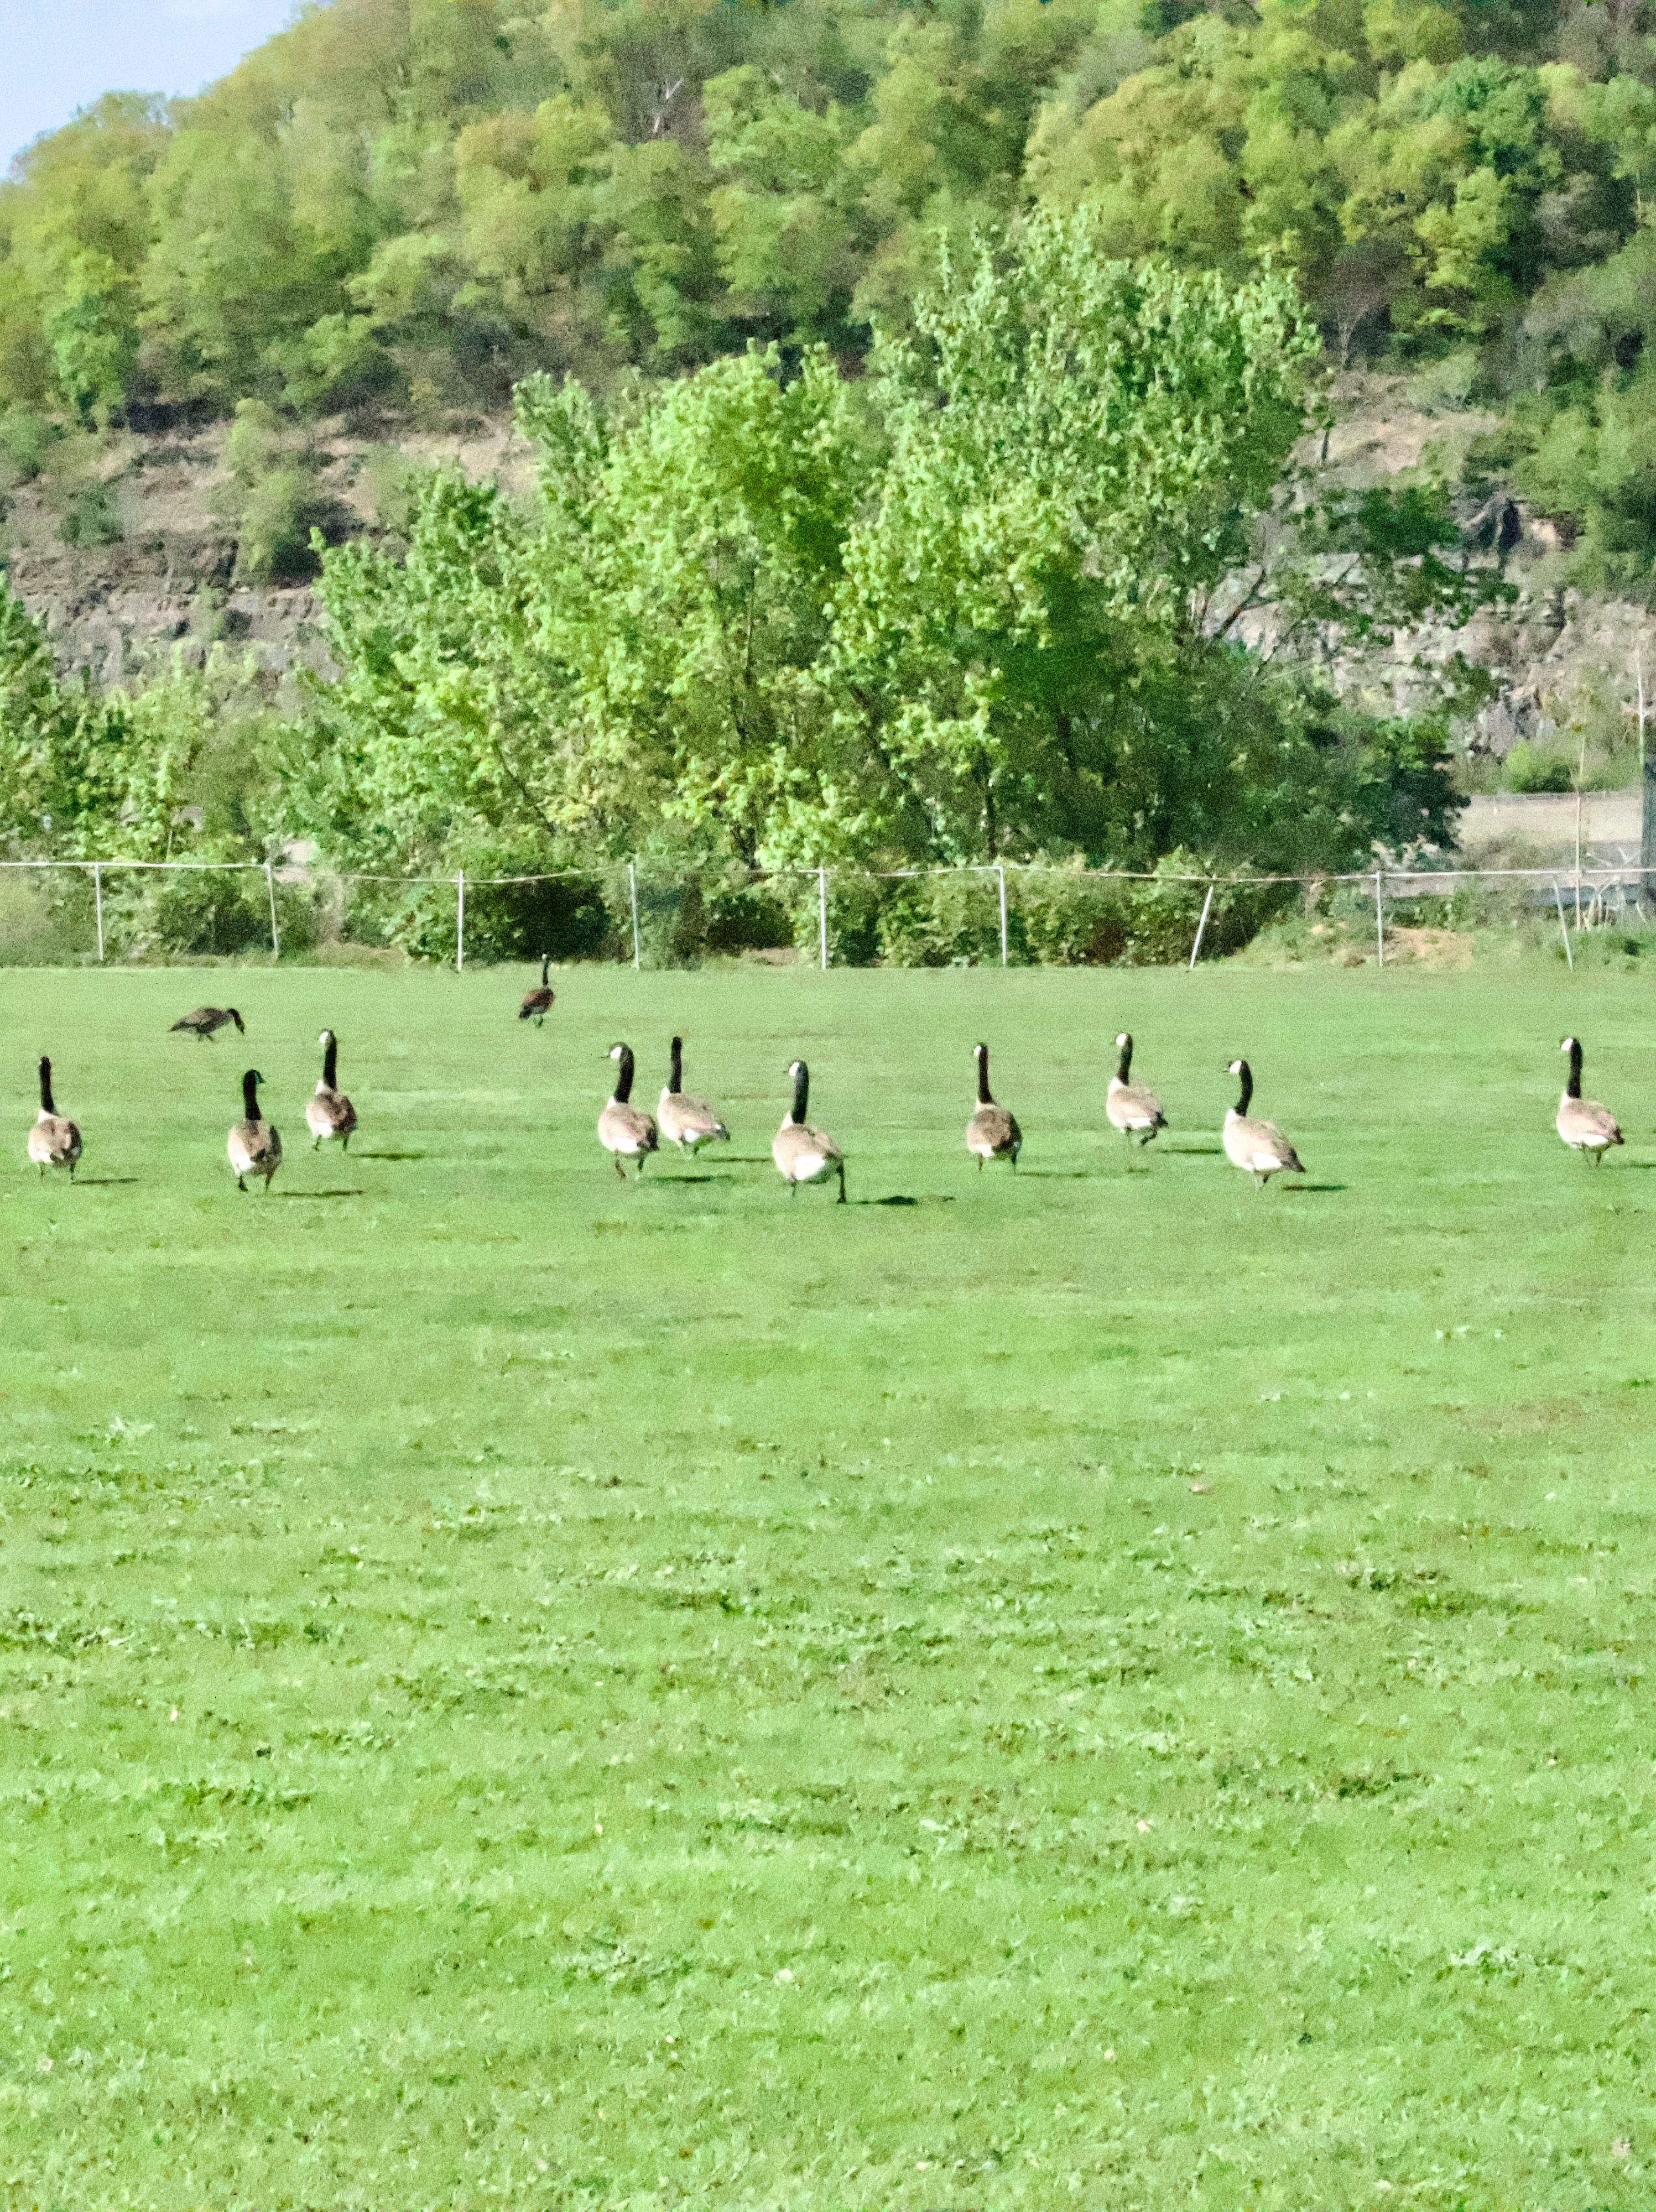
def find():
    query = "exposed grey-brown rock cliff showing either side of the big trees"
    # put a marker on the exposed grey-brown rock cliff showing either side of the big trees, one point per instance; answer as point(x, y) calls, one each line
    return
point(174, 578)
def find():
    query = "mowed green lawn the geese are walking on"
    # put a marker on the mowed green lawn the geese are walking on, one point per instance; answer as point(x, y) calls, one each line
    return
point(1095, 1689)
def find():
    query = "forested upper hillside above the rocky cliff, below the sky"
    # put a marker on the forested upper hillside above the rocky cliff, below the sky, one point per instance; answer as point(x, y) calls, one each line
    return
point(411, 205)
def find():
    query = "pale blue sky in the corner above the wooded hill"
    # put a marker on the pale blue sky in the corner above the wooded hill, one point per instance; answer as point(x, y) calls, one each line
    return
point(59, 56)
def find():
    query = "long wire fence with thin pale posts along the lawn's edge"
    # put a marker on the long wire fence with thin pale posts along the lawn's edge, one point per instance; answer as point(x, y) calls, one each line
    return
point(1414, 881)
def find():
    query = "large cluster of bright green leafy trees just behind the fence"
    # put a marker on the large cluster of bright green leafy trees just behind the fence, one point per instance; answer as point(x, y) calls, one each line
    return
point(955, 612)
